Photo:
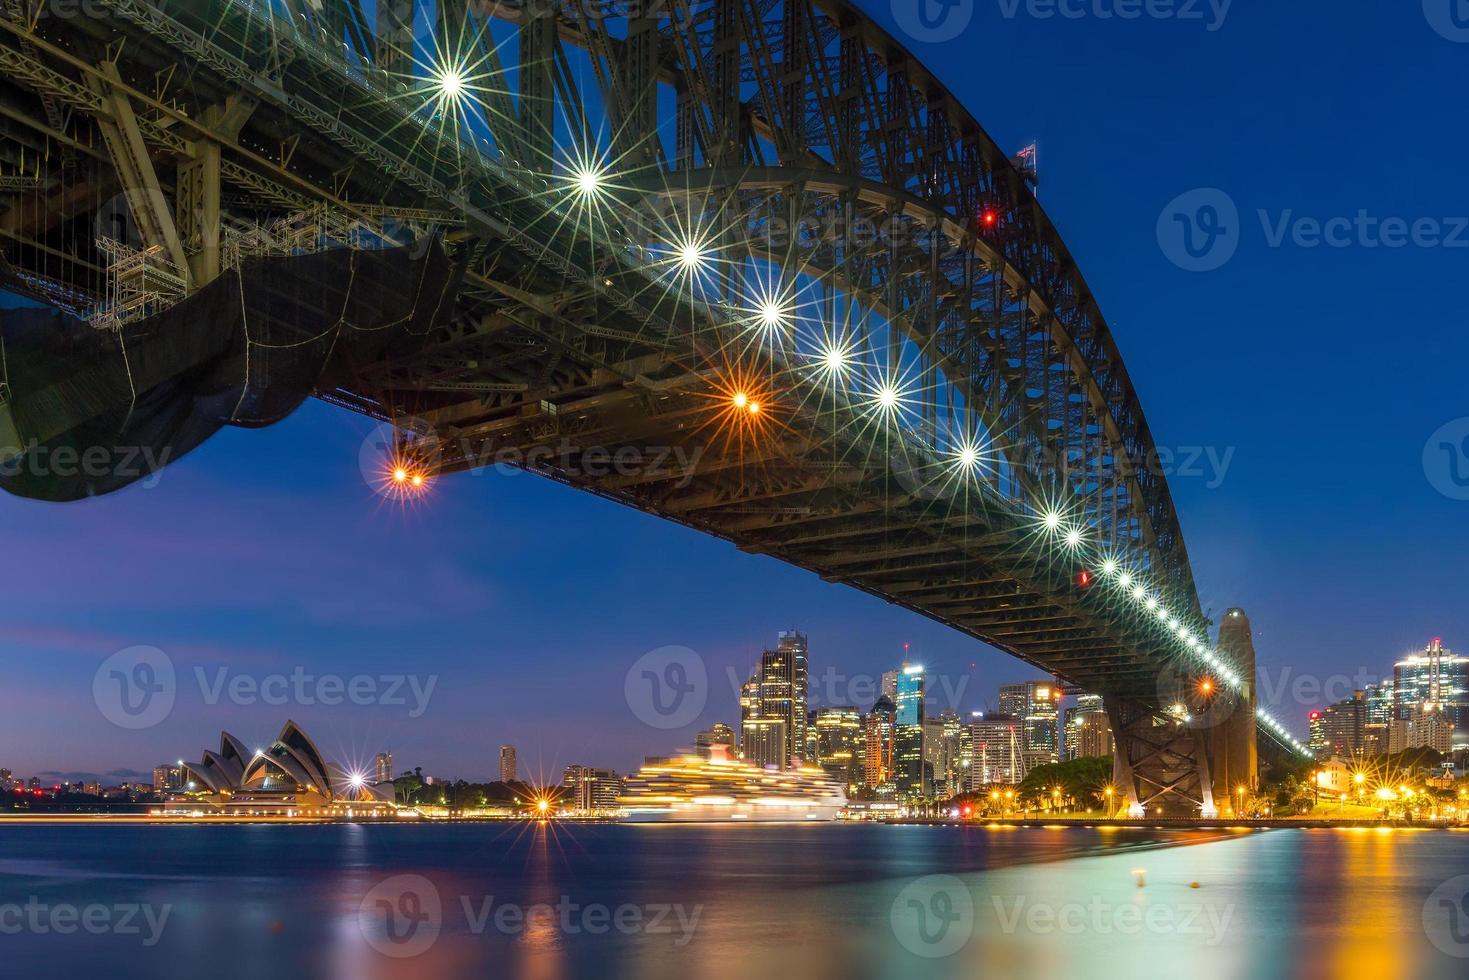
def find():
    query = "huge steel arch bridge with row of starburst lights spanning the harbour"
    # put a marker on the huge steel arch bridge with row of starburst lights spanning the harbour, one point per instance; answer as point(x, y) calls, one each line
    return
point(754, 246)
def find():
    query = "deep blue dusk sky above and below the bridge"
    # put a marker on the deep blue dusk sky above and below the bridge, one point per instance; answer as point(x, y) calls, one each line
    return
point(1310, 380)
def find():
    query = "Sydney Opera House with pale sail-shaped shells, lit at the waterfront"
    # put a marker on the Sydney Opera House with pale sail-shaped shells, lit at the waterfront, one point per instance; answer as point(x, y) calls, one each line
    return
point(287, 779)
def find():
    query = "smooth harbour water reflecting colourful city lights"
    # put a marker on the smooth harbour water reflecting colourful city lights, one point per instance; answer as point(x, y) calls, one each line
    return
point(734, 901)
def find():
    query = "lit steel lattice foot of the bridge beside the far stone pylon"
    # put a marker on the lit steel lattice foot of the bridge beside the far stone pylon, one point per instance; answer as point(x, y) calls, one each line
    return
point(1160, 765)
